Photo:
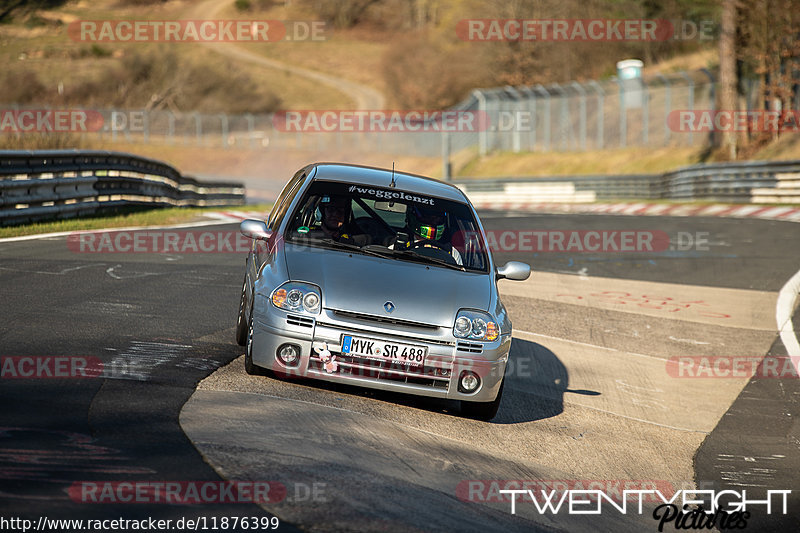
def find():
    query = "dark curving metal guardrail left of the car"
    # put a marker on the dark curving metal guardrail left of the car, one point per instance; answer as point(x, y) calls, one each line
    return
point(42, 185)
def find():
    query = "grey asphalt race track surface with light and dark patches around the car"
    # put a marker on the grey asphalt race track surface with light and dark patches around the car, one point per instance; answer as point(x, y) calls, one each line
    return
point(591, 401)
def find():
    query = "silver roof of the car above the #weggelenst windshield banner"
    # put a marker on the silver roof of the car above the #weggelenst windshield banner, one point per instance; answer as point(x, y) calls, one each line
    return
point(382, 177)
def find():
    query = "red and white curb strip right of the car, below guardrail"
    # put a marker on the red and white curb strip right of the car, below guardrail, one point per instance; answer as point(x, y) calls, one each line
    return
point(791, 214)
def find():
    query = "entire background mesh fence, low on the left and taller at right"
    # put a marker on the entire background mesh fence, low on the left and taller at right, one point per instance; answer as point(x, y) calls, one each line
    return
point(559, 117)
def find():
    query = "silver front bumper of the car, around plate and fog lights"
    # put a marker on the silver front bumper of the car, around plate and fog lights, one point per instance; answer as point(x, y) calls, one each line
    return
point(447, 357)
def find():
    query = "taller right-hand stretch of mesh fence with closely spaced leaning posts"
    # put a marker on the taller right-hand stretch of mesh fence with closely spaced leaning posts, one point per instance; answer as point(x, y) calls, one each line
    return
point(593, 115)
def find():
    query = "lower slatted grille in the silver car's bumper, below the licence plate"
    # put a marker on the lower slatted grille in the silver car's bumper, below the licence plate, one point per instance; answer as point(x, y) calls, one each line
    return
point(428, 376)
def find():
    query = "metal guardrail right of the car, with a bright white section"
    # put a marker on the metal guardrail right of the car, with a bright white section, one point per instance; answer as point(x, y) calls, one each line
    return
point(741, 182)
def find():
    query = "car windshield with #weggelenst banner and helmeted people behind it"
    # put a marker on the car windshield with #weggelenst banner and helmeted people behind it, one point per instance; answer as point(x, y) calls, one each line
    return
point(389, 222)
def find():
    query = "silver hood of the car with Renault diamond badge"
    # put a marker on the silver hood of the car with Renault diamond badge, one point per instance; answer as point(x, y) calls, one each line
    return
point(362, 284)
